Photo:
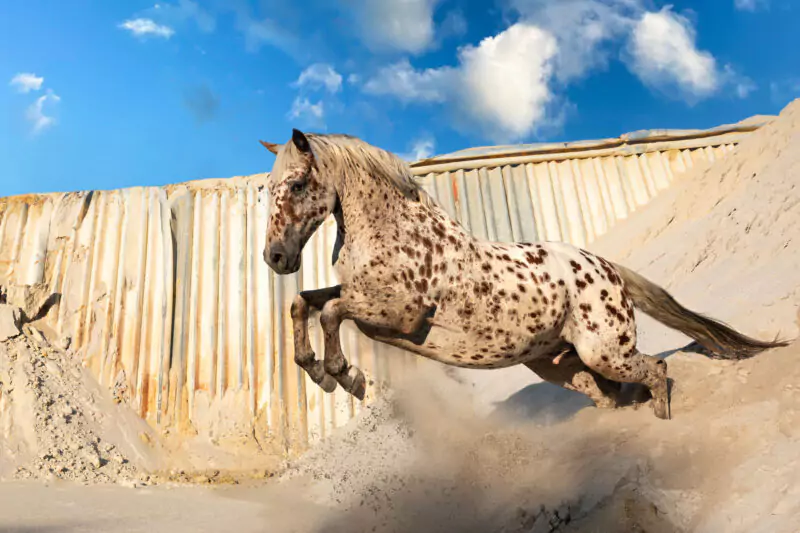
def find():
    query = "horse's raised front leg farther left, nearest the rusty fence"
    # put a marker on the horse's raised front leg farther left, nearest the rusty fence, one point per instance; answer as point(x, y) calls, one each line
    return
point(303, 353)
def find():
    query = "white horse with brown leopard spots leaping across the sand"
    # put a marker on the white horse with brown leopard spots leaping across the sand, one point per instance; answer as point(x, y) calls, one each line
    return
point(413, 278)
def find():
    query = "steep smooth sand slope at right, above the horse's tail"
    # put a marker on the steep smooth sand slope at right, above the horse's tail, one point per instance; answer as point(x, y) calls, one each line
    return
point(724, 239)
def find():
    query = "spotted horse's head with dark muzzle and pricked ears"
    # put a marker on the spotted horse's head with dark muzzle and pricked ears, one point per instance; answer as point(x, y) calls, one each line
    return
point(300, 200)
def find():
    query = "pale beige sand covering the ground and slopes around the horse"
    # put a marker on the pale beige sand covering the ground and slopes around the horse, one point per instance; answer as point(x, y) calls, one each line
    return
point(497, 451)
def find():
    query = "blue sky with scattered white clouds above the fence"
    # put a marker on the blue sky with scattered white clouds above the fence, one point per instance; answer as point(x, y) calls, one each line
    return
point(104, 95)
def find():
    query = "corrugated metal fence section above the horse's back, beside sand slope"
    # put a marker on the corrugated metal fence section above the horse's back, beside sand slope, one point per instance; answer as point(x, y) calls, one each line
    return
point(571, 192)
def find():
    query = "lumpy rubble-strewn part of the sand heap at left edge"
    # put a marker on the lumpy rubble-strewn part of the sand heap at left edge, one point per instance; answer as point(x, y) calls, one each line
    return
point(51, 419)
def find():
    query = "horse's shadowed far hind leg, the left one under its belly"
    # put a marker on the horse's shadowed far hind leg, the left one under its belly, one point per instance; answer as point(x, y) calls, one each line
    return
point(572, 374)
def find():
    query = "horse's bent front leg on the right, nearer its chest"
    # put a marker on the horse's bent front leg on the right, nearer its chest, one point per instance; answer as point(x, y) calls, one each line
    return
point(351, 378)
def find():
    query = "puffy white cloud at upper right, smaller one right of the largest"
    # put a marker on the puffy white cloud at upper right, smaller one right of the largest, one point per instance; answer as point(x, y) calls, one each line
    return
point(664, 56)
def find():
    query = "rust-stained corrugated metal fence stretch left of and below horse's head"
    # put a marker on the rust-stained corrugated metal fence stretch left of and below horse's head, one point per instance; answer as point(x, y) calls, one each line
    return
point(168, 286)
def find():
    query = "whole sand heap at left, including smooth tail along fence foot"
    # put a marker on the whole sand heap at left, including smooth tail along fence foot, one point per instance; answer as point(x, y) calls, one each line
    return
point(58, 423)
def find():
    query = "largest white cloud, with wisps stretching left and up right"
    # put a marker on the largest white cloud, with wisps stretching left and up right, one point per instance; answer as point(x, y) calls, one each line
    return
point(506, 85)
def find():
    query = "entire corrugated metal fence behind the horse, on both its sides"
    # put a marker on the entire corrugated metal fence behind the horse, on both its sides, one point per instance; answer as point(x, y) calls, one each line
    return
point(166, 287)
